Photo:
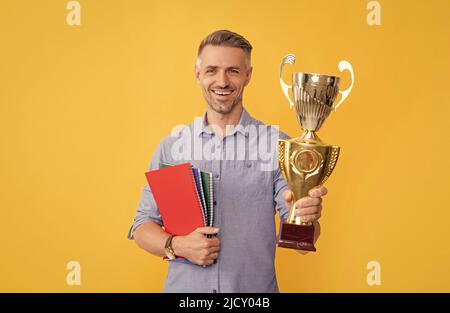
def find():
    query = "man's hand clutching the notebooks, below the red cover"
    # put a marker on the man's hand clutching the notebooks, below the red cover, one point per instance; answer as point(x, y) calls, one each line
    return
point(196, 247)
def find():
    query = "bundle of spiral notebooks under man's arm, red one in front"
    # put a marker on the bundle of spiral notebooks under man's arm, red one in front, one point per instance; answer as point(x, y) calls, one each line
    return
point(184, 196)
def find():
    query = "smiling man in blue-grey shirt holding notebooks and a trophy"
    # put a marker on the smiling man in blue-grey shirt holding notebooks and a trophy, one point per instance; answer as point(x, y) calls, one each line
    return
point(240, 258)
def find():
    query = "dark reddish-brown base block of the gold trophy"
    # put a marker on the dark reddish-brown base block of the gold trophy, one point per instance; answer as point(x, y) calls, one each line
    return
point(299, 237)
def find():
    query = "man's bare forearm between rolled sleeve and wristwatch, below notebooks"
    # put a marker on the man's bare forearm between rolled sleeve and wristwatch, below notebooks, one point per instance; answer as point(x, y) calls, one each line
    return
point(151, 237)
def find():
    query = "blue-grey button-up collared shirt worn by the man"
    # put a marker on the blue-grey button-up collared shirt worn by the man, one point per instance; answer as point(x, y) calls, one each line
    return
point(248, 189)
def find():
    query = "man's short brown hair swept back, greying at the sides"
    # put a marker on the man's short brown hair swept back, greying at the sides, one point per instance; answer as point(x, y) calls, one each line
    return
point(228, 39)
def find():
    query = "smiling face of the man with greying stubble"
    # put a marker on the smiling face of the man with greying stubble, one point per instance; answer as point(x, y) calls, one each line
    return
point(223, 73)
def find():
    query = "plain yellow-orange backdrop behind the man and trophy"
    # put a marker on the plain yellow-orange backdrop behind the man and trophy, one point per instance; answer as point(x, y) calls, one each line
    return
point(84, 107)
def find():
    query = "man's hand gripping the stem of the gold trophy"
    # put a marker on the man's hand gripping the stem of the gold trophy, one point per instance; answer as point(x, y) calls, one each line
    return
point(309, 208)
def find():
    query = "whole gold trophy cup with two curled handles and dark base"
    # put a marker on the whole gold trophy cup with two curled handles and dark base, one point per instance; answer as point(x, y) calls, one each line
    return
point(306, 161)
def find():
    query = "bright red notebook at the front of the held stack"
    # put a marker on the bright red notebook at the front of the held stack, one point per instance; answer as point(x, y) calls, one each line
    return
point(176, 196)
